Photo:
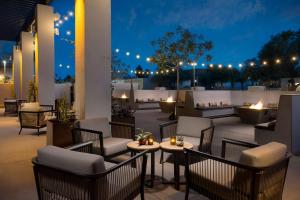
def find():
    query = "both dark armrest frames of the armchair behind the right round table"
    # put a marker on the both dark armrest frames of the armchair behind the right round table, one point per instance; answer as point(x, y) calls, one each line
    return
point(168, 129)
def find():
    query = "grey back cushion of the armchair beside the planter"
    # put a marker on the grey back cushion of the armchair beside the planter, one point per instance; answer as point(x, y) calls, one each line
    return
point(97, 124)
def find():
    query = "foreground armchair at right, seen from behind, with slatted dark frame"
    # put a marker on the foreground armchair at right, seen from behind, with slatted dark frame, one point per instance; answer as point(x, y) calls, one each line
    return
point(259, 174)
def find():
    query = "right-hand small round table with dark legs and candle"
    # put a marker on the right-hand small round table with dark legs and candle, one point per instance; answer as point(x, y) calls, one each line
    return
point(175, 151)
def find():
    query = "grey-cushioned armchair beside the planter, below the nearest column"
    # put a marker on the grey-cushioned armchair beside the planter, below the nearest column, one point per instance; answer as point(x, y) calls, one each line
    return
point(109, 138)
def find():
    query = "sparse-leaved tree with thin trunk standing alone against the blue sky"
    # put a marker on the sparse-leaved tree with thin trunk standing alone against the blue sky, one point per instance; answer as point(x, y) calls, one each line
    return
point(178, 48)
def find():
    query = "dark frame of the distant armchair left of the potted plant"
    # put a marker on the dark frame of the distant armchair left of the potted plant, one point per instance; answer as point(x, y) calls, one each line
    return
point(38, 115)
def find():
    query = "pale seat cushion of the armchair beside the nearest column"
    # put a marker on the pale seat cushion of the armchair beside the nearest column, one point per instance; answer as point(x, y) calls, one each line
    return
point(111, 145)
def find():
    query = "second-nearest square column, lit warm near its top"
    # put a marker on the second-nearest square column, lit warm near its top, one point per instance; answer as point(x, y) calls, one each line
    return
point(44, 54)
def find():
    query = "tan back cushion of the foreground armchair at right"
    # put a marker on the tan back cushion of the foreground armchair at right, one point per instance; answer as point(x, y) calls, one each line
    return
point(263, 156)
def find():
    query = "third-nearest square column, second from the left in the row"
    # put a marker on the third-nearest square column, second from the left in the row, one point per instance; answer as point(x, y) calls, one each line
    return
point(27, 63)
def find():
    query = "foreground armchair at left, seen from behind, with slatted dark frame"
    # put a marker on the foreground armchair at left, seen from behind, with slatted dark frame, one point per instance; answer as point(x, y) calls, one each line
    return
point(69, 175)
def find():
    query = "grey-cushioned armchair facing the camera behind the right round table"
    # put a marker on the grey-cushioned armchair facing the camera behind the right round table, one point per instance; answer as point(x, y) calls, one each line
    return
point(196, 130)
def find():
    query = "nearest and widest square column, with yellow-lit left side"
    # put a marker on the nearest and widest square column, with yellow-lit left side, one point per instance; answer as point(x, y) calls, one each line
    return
point(93, 58)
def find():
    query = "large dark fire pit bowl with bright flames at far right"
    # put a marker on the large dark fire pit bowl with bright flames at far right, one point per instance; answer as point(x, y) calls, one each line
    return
point(254, 114)
